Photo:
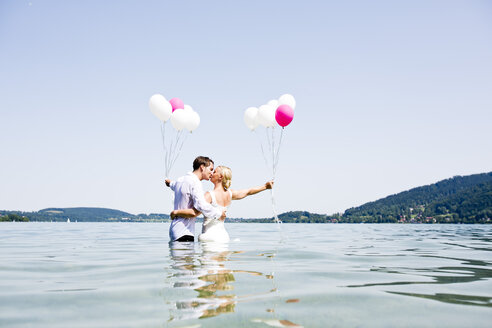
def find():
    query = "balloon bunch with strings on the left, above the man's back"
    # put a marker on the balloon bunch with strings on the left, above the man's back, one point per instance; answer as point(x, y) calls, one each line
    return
point(182, 117)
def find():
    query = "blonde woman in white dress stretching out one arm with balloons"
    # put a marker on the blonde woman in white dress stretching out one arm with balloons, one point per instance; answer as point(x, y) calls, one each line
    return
point(221, 196)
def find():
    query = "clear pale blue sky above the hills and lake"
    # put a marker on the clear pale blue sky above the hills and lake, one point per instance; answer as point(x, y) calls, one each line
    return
point(390, 95)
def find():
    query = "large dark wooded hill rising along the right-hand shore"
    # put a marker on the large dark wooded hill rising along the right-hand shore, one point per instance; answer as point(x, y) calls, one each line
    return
point(461, 199)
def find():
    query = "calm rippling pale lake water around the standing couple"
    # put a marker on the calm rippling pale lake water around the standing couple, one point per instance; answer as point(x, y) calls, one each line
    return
point(290, 275)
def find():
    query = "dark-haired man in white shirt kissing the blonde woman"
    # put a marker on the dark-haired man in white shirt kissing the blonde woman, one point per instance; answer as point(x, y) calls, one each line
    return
point(188, 193)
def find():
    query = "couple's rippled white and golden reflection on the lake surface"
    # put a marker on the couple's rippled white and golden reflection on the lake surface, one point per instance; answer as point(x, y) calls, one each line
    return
point(202, 267)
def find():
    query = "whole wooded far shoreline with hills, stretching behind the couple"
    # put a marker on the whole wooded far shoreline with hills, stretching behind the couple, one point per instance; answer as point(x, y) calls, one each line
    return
point(460, 199)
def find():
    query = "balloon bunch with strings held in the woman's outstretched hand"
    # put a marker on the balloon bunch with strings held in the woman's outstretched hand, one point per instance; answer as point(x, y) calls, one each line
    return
point(277, 112)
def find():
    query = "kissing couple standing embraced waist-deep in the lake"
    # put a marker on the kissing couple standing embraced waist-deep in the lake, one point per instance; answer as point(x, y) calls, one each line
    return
point(190, 201)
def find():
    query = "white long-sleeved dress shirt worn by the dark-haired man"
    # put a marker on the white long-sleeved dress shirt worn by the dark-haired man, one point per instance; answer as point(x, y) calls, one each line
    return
point(188, 193)
